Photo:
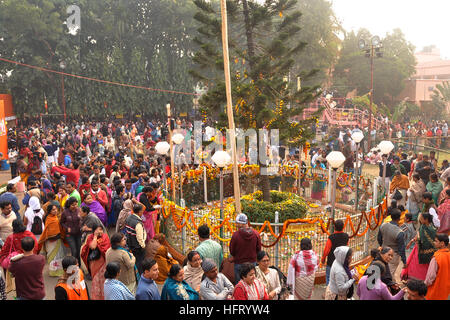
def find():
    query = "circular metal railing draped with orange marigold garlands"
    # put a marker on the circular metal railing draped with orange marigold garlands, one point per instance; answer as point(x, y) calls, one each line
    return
point(279, 240)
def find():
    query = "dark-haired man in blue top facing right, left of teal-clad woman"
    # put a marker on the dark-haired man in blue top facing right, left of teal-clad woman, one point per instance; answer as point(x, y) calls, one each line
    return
point(147, 288)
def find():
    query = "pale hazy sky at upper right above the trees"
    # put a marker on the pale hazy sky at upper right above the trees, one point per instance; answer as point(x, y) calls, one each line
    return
point(424, 22)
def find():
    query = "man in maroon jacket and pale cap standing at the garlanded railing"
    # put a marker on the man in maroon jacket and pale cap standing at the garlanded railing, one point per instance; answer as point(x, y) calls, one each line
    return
point(244, 245)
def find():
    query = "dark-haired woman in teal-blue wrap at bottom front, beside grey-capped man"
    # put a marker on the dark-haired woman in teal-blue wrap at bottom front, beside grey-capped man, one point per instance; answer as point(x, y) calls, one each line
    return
point(176, 288)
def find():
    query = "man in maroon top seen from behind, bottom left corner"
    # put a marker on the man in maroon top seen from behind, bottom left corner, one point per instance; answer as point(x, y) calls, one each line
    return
point(27, 269)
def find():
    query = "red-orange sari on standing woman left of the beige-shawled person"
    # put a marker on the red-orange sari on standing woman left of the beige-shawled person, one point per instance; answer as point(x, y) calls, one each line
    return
point(96, 267)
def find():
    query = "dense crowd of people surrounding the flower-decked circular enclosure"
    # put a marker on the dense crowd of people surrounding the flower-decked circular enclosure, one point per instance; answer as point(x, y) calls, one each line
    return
point(91, 212)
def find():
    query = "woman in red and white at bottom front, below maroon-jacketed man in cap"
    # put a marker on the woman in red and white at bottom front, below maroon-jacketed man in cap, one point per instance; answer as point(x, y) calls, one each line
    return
point(249, 287)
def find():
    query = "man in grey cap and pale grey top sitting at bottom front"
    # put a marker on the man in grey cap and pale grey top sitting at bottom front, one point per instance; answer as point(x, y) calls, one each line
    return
point(215, 286)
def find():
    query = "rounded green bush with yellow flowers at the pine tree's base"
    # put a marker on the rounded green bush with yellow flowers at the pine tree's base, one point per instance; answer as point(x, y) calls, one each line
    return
point(288, 205)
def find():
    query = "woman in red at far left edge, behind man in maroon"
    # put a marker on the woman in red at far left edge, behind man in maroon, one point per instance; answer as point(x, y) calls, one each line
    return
point(13, 247)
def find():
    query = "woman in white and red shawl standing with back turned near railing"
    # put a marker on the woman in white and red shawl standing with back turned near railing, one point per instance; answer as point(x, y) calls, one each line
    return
point(302, 271)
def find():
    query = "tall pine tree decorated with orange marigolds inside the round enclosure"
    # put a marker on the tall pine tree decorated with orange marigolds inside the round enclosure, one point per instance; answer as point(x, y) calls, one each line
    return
point(262, 50)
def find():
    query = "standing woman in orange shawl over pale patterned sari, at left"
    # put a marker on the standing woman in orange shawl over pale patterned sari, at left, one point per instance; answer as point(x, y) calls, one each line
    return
point(50, 242)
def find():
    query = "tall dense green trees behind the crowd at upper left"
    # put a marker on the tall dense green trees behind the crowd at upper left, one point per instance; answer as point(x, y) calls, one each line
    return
point(138, 42)
